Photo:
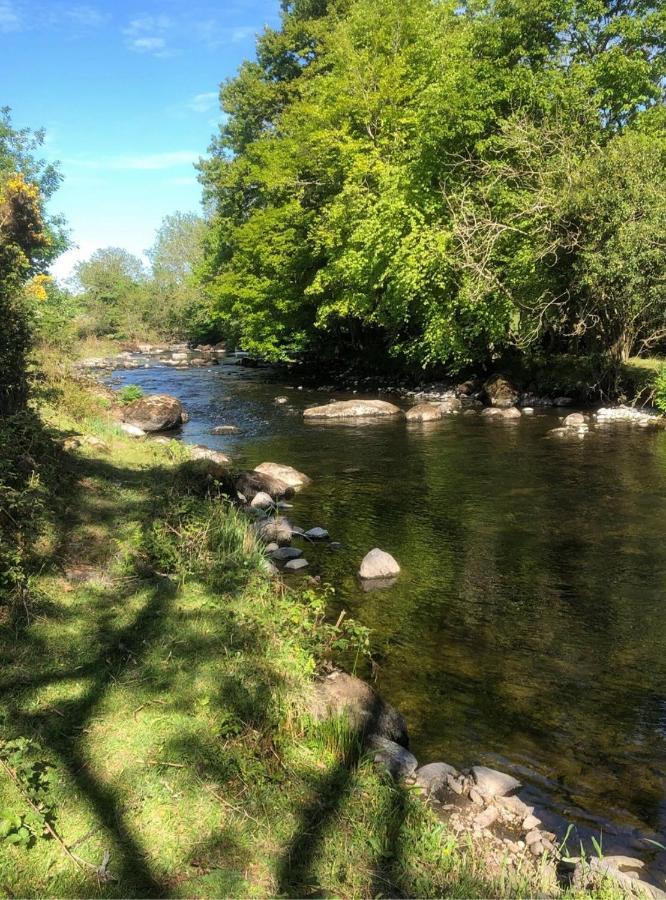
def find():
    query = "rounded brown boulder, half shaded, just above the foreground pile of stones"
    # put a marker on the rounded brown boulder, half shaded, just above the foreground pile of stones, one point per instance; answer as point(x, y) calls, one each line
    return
point(340, 694)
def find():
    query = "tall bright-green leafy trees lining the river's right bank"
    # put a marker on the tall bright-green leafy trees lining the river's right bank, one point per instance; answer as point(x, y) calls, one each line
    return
point(440, 182)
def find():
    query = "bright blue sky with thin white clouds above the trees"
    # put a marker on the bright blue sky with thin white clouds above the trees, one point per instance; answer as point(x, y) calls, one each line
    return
point(127, 93)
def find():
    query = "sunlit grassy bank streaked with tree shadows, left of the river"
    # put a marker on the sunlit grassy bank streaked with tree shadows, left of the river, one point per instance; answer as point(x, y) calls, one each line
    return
point(153, 740)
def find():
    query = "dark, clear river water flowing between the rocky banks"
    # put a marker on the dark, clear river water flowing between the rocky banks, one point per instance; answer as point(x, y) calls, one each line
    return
point(527, 630)
